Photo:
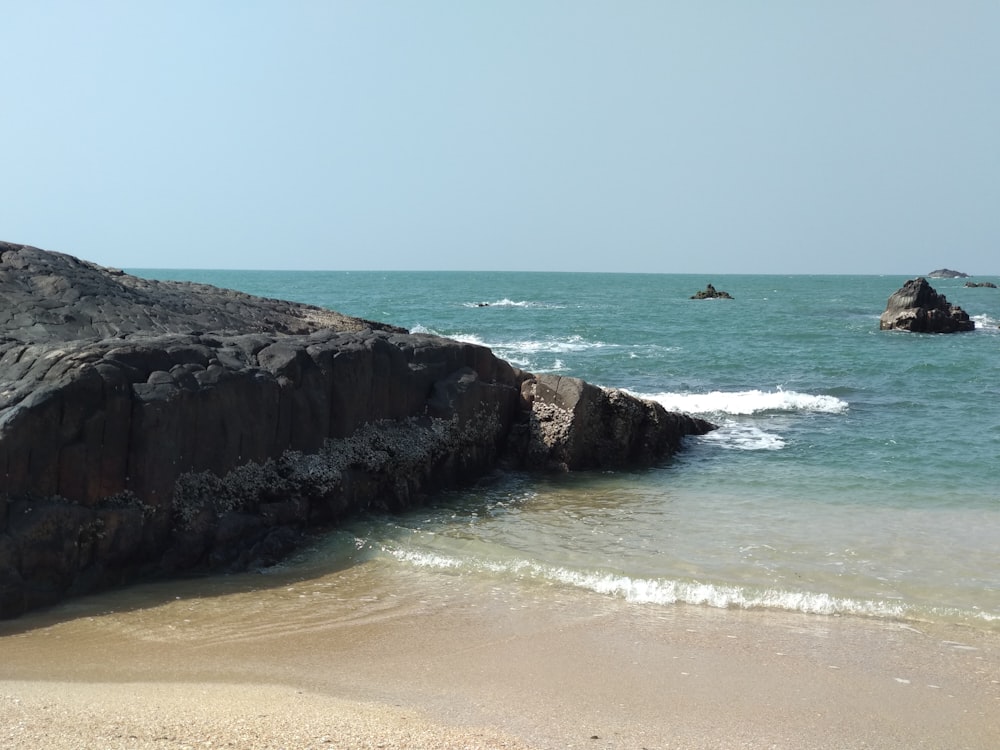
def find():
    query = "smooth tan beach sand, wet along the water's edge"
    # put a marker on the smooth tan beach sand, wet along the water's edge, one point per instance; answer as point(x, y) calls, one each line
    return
point(363, 660)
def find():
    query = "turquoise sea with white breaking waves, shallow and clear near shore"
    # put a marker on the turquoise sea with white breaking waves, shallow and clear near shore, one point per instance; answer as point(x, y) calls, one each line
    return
point(854, 471)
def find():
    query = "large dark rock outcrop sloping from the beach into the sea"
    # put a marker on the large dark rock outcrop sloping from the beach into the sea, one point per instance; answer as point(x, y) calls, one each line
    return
point(148, 428)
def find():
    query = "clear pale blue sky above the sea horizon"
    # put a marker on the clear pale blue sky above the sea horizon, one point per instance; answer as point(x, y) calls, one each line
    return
point(677, 137)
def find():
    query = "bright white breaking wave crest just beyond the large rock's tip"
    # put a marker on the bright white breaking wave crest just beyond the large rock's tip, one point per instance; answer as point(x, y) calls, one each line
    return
point(744, 403)
